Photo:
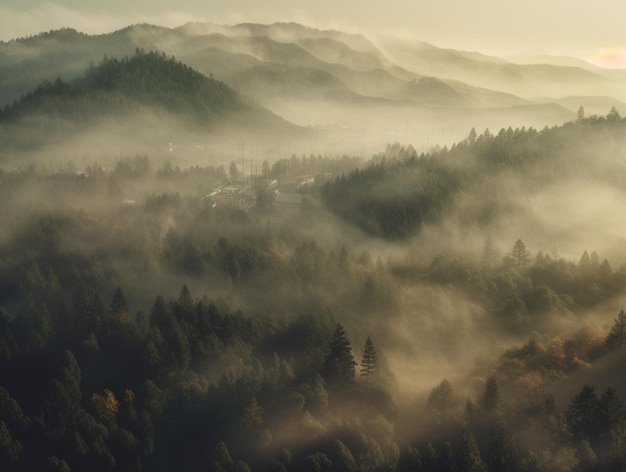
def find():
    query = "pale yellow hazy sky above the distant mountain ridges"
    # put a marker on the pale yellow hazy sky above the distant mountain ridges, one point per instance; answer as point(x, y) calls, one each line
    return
point(592, 30)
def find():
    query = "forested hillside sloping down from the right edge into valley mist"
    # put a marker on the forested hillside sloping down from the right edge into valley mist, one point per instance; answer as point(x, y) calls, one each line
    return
point(400, 191)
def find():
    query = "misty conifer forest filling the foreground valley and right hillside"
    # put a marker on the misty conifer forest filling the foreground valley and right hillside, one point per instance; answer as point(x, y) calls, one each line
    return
point(144, 328)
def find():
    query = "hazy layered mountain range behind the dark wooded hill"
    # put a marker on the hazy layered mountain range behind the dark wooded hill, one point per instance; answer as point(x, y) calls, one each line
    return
point(303, 60)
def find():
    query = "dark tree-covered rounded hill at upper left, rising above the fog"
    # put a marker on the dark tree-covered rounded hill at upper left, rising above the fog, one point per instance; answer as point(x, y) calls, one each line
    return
point(144, 81)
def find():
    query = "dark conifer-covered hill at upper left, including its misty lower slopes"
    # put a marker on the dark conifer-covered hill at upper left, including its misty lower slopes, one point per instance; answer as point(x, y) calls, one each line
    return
point(146, 85)
